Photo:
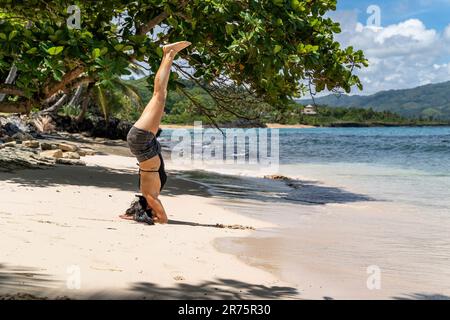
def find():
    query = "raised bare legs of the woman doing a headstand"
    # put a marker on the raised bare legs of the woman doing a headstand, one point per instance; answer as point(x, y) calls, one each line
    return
point(153, 112)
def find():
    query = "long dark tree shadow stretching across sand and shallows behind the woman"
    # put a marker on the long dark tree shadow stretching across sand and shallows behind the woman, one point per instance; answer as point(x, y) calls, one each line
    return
point(225, 187)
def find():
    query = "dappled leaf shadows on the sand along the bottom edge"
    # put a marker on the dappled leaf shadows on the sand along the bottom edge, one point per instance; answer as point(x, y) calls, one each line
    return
point(30, 283)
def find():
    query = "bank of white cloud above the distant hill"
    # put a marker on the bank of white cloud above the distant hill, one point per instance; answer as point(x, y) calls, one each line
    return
point(402, 55)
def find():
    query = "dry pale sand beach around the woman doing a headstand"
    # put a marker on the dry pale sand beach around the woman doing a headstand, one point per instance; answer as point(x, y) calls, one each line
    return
point(61, 237)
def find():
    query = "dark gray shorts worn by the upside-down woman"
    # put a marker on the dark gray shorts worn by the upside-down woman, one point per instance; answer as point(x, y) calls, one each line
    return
point(143, 144)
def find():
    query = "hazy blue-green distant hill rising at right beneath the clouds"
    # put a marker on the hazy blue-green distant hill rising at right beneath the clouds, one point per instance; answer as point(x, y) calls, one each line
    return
point(429, 101)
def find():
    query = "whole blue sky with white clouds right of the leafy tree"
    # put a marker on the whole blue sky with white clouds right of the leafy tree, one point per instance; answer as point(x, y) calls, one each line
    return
point(407, 42)
